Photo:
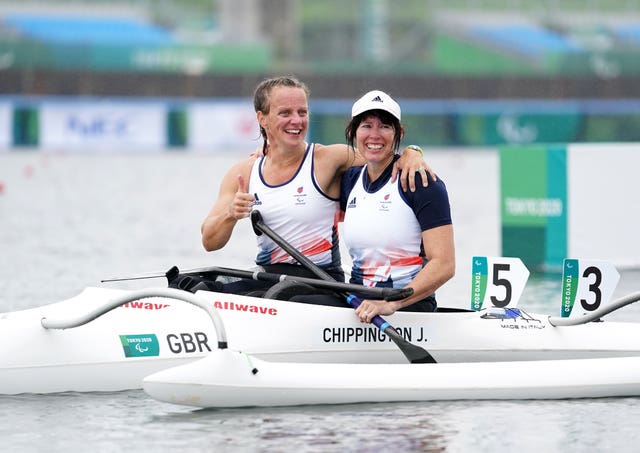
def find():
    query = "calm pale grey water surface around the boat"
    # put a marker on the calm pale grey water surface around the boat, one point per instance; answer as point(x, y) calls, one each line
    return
point(68, 221)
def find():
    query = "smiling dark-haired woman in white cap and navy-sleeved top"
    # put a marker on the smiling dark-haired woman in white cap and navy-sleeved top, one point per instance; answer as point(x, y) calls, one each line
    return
point(396, 238)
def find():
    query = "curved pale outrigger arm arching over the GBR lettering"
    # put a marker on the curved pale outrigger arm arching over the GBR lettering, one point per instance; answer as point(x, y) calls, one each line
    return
point(170, 293)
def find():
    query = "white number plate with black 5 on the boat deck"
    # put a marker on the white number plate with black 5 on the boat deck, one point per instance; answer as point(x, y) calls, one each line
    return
point(497, 281)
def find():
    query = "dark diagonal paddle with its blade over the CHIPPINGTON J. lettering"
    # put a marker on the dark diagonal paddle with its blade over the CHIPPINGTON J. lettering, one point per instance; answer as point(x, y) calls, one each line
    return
point(413, 353)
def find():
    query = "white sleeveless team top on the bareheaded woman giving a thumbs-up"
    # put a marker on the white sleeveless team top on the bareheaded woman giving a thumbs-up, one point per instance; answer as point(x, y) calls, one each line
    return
point(298, 211)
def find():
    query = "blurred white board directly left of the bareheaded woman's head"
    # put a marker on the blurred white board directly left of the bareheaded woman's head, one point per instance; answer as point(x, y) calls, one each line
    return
point(223, 126)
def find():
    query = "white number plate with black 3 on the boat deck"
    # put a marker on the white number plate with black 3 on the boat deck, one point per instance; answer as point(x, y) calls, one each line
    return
point(586, 286)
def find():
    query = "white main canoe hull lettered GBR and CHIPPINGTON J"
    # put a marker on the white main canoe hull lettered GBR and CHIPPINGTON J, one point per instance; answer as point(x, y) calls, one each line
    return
point(117, 350)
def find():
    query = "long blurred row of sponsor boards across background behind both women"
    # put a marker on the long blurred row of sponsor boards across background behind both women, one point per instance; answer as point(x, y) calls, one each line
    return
point(225, 124)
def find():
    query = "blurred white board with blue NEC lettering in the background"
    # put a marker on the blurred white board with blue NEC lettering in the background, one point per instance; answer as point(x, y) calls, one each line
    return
point(111, 126)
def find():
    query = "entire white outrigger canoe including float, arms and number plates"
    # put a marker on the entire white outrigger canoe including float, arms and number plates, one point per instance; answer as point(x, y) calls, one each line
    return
point(265, 351)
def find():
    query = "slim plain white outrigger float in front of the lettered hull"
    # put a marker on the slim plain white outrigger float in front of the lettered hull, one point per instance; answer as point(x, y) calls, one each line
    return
point(232, 379)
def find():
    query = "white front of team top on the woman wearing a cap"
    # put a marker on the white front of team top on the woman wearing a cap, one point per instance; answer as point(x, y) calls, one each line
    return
point(382, 234)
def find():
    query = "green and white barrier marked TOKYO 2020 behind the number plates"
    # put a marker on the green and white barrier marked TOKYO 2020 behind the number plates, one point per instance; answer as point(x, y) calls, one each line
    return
point(576, 200)
